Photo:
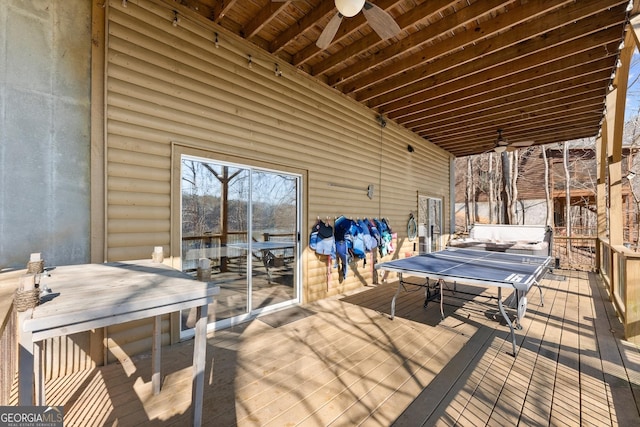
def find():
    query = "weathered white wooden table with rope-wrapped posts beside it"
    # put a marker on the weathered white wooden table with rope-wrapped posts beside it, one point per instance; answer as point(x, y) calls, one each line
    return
point(90, 296)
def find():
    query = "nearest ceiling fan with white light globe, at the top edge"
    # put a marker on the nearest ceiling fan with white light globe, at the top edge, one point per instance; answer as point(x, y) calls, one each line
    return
point(379, 20)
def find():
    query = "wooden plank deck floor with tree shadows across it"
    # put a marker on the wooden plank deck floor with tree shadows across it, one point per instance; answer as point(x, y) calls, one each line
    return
point(344, 362)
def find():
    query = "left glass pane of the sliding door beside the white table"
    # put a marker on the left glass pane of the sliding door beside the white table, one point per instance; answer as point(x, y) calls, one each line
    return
point(215, 226)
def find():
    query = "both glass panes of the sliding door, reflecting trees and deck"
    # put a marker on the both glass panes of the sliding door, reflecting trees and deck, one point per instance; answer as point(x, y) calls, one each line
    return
point(240, 230)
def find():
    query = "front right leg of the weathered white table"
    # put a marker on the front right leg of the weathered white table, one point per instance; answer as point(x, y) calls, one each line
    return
point(199, 362)
